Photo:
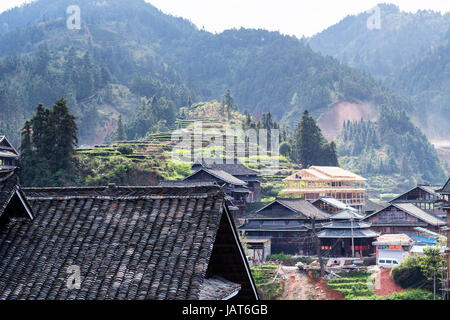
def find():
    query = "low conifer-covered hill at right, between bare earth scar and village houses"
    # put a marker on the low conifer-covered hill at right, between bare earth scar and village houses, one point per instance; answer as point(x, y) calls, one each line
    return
point(392, 145)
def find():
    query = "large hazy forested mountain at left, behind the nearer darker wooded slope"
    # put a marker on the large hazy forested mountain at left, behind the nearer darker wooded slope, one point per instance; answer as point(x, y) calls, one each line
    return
point(265, 70)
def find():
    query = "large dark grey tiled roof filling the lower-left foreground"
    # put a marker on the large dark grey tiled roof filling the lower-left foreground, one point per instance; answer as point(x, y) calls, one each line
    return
point(129, 243)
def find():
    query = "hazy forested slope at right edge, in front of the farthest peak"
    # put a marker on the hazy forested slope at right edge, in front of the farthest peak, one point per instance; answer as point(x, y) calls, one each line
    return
point(427, 82)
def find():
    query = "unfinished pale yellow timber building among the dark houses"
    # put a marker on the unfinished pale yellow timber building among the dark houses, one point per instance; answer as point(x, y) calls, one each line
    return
point(316, 182)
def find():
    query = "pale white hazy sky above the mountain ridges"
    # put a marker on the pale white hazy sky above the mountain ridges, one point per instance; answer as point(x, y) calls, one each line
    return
point(294, 17)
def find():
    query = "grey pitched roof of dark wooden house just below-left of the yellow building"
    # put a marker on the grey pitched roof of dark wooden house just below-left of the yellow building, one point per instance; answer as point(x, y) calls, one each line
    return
point(300, 208)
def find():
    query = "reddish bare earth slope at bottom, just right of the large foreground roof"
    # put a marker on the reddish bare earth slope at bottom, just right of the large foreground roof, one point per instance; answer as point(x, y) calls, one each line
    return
point(299, 286)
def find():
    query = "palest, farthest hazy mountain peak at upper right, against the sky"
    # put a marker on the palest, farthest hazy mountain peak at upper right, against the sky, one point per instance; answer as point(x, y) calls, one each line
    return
point(401, 38)
